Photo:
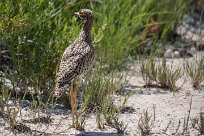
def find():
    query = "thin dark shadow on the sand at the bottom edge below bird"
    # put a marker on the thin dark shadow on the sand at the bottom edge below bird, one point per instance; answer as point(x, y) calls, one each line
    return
point(99, 134)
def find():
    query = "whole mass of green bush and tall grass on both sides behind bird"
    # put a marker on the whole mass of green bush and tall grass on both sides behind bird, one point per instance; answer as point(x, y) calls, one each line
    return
point(35, 33)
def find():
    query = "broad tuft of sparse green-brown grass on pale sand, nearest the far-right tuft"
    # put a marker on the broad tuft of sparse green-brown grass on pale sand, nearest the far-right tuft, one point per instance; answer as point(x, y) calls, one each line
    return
point(160, 75)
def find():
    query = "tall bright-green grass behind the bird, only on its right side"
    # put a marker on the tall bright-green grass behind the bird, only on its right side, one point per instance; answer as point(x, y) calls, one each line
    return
point(126, 22)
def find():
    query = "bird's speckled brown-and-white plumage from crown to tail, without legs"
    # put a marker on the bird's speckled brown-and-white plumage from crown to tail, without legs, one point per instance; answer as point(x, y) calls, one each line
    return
point(78, 58)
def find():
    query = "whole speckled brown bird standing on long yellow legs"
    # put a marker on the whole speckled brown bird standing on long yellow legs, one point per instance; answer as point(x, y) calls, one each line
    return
point(77, 59)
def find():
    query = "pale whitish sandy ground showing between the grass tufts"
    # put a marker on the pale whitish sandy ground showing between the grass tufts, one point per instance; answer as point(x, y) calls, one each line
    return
point(166, 107)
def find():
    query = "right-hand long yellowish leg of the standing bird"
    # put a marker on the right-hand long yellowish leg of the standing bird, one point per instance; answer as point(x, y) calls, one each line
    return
point(76, 87)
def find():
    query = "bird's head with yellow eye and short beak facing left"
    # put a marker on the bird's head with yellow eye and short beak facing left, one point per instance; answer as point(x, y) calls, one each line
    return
point(85, 14)
